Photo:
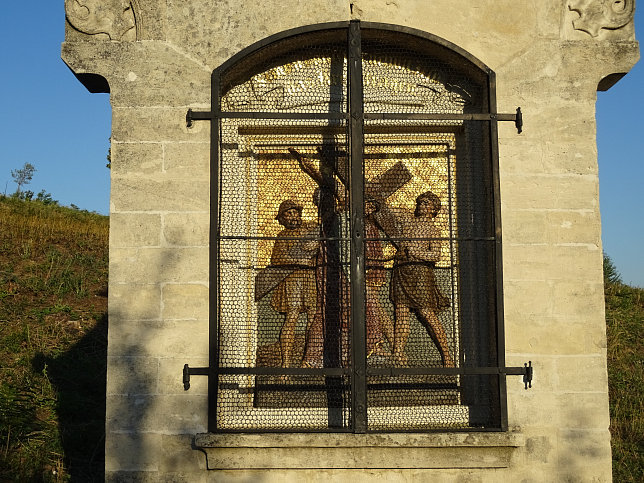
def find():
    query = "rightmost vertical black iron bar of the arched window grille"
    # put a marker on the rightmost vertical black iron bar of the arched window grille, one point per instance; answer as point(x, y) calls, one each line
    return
point(498, 280)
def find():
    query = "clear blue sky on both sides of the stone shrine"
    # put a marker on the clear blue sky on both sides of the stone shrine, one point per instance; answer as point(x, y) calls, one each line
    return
point(48, 119)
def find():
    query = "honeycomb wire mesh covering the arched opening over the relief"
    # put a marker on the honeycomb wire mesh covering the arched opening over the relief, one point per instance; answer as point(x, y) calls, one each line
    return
point(286, 238)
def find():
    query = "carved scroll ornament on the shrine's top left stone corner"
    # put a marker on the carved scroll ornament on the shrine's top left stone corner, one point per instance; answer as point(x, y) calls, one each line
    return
point(115, 19)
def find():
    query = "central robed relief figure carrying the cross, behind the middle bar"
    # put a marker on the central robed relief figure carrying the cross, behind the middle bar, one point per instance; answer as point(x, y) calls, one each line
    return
point(332, 283)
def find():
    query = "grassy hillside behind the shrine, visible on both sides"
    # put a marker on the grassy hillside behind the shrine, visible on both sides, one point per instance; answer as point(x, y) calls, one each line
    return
point(53, 288)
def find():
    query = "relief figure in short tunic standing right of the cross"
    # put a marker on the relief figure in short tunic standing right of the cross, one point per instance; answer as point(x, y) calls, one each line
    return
point(413, 283)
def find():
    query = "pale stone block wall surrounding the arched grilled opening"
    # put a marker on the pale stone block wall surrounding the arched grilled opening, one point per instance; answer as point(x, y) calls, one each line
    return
point(549, 58)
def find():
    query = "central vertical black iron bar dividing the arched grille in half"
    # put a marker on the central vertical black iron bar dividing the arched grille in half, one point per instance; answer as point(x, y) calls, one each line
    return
point(358, 305)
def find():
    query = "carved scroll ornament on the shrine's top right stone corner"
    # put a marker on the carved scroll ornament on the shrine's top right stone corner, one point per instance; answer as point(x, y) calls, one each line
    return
point(595, 15)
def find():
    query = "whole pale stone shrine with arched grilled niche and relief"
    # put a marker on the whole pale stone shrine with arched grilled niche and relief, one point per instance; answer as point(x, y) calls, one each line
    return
point(309, 278)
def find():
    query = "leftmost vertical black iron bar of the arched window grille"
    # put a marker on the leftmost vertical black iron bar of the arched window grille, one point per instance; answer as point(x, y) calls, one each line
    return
point(213, 310)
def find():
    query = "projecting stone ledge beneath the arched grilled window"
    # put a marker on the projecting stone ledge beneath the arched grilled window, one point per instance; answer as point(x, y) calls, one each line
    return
point(392, 450)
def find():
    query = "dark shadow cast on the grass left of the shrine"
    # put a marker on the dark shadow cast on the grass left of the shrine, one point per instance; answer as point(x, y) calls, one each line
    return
point(79, 376)
